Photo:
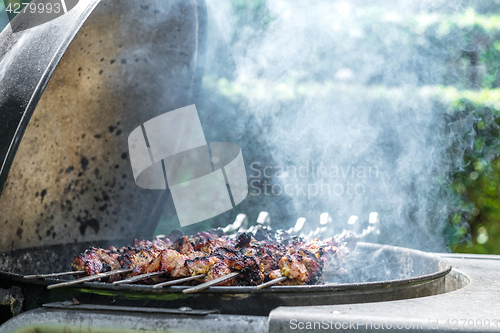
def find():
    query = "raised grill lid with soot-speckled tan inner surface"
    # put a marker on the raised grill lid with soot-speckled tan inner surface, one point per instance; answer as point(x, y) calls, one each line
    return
point(71, 90)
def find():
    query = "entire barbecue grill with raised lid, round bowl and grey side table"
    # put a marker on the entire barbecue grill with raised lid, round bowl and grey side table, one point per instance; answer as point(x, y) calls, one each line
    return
point(66, 185)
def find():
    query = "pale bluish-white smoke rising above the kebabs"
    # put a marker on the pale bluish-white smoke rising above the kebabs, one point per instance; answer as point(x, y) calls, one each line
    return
point(332, 103)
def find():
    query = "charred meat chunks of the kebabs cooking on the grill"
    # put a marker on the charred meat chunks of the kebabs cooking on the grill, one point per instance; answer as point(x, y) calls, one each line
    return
point(274, 256)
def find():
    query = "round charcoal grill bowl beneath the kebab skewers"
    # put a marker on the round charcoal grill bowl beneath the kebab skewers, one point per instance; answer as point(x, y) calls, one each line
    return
point(372, 273)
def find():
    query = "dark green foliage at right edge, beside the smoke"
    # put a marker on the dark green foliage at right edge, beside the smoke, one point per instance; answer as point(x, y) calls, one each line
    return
point(478, 183)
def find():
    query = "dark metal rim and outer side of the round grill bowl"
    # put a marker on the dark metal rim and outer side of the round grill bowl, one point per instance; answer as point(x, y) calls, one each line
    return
point(228, 300)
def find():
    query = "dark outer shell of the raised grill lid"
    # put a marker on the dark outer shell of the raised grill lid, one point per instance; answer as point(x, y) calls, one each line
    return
point(27, 60)
